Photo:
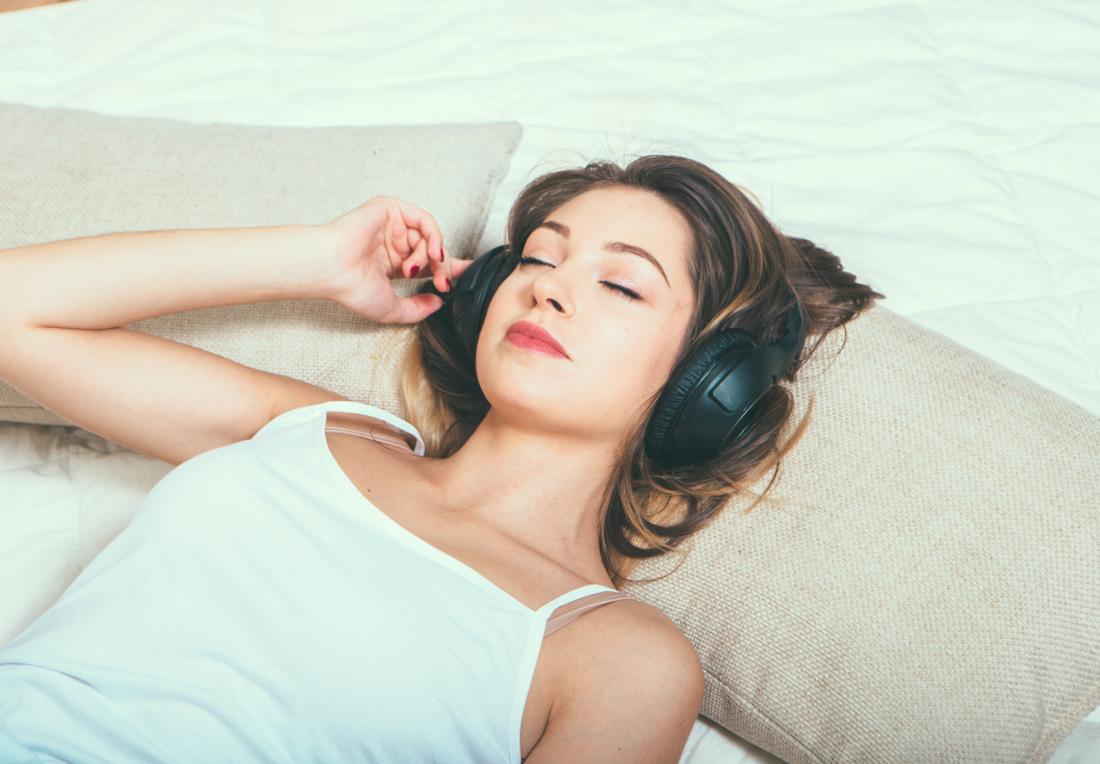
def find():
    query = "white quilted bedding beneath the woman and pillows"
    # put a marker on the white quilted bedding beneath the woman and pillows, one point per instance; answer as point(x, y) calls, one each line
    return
point(948, 152)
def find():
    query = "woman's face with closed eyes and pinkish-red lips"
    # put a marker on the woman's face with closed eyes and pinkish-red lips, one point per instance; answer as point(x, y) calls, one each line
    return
point(621, 350)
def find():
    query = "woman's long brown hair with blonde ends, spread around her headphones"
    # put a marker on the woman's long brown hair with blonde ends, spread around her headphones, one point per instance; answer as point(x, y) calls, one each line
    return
point(738, 272)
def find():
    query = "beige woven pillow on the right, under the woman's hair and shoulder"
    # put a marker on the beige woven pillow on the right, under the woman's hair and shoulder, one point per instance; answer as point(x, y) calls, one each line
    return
point(923, 584)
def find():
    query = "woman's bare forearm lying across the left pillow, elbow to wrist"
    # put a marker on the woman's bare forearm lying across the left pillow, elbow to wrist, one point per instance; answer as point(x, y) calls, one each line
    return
point(116, 279)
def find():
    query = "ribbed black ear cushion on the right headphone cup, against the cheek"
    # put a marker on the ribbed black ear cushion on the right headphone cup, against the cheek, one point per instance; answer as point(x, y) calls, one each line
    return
point(681, 389)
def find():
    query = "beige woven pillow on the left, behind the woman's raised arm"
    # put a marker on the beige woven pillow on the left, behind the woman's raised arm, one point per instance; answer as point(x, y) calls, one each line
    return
point(70, 173)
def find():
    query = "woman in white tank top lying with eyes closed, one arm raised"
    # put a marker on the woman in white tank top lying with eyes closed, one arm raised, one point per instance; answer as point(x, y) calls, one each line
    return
point(398, 606)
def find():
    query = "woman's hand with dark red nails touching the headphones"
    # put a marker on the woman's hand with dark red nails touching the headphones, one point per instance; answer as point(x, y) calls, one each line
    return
point(386, 239)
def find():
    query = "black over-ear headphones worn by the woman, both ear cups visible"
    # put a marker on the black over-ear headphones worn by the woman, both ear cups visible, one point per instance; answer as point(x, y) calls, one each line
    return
point(702, 408)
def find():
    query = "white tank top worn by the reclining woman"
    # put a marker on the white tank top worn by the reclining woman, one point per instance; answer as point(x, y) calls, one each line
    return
point(260, 608)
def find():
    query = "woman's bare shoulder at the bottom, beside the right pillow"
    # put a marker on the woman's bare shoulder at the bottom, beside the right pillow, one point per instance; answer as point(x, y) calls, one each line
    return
point(634, 696)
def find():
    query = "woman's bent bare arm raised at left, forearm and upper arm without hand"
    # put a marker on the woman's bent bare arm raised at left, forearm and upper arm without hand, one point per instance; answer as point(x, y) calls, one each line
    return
point(62, 305)
